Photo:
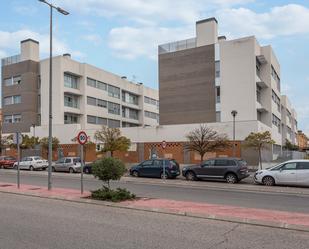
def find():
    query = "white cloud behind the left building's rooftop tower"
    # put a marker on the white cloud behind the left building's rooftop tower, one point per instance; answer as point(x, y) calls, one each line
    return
point(11, 41)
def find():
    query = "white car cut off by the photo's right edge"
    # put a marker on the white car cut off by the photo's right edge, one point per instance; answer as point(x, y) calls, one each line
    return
point(294, 172)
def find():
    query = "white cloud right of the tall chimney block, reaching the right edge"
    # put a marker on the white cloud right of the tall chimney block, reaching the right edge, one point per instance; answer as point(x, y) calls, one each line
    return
point(291, 19)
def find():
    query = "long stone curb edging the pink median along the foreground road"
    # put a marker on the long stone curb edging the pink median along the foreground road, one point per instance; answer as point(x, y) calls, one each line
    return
point(244, 221)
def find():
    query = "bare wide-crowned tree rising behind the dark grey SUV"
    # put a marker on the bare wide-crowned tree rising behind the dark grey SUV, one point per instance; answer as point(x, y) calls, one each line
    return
point(205, 139)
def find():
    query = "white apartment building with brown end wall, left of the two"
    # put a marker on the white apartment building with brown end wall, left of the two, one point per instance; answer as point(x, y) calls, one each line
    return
point(84, 96)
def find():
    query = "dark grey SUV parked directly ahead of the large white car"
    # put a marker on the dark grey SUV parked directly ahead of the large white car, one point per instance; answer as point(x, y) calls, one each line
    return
point(232, 170)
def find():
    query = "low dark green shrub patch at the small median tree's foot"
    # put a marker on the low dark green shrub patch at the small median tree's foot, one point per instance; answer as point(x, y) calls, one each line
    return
point(106, 194)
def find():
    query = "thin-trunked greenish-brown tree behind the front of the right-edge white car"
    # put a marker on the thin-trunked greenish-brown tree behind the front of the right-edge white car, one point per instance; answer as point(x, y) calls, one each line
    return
point(259, 141)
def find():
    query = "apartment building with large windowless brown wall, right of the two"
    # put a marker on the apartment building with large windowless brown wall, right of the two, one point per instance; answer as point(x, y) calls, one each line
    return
point(203, 79)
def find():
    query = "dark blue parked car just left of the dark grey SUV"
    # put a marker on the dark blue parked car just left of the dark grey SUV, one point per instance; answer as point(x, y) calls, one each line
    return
point(154, 168)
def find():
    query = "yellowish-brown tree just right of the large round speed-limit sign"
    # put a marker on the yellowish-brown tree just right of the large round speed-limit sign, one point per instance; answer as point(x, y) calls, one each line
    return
point(112, 140)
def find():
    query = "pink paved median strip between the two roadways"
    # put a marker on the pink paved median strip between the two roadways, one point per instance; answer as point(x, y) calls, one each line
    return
point(261, 217)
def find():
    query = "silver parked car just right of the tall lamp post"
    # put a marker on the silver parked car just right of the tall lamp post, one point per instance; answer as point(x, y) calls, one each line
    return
point(67, 164)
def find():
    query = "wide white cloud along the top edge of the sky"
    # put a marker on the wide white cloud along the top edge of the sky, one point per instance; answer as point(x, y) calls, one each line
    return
point(148, 10)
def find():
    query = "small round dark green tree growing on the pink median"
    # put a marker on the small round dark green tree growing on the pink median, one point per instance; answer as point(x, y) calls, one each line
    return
point(108, 169)
